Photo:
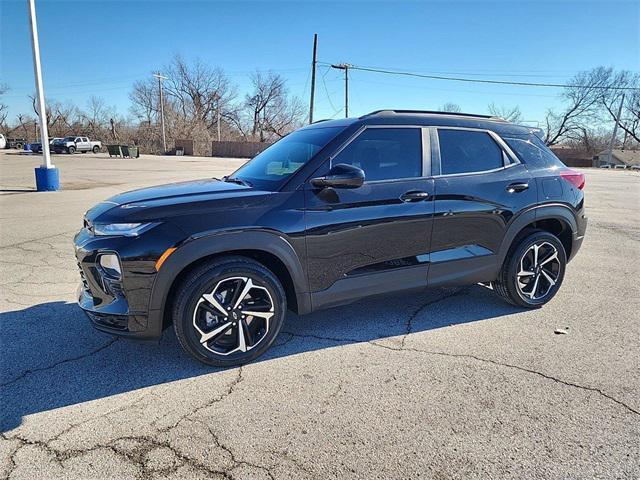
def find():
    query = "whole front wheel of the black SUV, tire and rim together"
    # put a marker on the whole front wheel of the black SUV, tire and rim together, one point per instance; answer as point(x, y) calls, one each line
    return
point(204, 307)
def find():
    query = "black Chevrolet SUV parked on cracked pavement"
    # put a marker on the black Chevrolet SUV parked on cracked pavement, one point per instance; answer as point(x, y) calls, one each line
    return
point(334, 212)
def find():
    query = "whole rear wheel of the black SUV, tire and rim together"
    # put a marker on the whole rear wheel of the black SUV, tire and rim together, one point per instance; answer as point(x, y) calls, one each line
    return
point(524, 283)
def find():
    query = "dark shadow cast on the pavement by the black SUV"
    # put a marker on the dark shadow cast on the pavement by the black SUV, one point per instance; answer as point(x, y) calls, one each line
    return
point(52, 358)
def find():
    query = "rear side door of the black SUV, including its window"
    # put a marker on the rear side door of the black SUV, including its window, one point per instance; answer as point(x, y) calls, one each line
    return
point(479, 186)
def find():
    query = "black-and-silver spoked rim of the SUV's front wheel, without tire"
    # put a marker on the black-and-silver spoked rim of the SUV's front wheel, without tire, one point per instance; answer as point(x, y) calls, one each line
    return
point(234, 316)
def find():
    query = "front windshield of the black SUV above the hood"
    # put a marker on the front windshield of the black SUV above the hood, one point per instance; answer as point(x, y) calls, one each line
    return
point(272, 167)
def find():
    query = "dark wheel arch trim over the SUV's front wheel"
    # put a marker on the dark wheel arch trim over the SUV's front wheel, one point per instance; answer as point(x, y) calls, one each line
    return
point(222, 242)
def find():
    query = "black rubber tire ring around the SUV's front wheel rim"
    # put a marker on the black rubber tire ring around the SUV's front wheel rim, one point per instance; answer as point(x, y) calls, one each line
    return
point(204, 280)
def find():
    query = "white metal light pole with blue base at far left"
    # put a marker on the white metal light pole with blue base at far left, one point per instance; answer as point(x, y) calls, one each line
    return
point(47, 176)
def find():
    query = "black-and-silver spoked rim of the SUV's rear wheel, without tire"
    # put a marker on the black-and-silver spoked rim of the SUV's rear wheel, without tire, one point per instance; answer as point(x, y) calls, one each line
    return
point(539, 271)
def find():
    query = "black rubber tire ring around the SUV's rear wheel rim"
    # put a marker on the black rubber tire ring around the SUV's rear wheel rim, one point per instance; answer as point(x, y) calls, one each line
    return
point(514, 265)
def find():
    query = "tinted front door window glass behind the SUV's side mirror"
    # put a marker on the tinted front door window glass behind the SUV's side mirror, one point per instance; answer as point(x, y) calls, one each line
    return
point(385, 153)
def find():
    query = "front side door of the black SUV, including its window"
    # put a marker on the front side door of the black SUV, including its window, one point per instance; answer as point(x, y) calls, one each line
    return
point(374, 238)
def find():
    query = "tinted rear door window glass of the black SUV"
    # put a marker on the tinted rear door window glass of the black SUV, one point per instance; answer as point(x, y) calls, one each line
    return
point(464, 151)
